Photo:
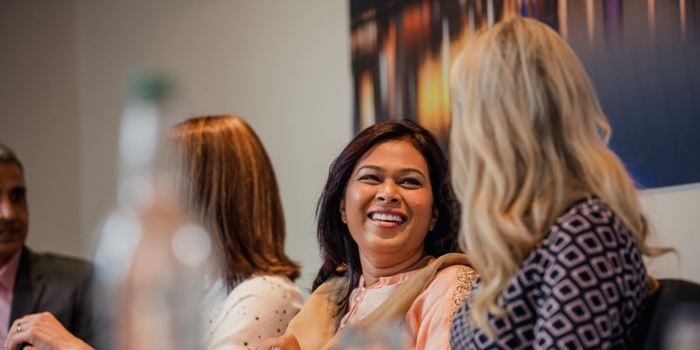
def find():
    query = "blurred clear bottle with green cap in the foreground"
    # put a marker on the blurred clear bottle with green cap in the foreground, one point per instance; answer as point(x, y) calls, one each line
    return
point(149, 257)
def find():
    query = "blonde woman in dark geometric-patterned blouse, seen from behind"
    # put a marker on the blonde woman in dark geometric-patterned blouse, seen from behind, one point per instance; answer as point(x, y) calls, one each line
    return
point(551, 219)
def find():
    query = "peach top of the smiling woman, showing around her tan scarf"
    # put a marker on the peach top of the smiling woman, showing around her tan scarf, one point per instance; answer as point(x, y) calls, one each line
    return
point(427, 321)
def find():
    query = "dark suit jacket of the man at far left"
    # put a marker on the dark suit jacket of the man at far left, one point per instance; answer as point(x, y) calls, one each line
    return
point(60, 285)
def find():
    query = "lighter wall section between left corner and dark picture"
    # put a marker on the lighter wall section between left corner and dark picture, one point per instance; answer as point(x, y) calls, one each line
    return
point(282, 65)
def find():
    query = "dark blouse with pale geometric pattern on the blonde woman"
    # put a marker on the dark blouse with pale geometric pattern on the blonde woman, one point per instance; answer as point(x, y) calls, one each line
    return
point(583, 287)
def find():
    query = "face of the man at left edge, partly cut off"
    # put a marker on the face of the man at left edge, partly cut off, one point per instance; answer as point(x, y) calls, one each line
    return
point(14, 217)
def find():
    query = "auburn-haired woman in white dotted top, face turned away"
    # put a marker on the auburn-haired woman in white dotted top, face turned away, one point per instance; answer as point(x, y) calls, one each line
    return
point(229, 186)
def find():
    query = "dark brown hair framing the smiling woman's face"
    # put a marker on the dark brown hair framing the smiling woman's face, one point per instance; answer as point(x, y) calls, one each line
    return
point(339, 251)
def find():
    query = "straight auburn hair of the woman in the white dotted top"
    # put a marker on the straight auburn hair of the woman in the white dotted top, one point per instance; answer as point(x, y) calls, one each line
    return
point(229, 184)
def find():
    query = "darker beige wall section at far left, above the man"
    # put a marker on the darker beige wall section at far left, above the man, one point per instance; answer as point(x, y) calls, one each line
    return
point(39, 115)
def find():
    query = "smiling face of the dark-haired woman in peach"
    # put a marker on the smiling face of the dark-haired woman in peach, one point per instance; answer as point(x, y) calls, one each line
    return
point(388, 202)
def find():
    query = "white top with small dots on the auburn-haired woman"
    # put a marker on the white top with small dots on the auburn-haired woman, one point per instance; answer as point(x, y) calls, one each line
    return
point(258, 308)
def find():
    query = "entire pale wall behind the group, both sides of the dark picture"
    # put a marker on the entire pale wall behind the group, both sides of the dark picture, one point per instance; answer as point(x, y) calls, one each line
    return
point(283, 65)
